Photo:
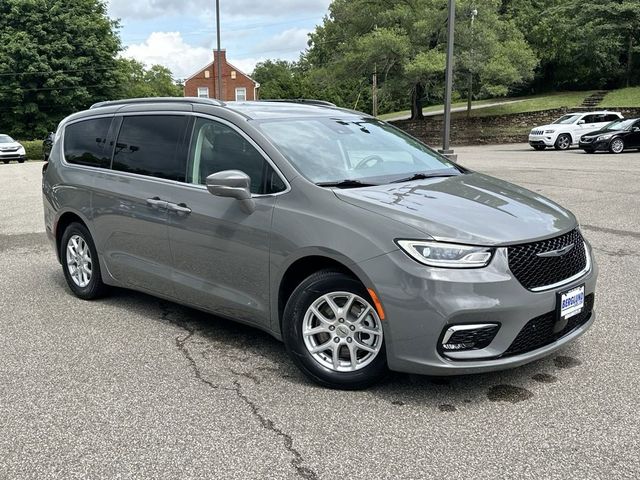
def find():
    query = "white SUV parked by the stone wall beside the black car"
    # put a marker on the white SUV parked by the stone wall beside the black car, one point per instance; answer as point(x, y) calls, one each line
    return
point(568, 129)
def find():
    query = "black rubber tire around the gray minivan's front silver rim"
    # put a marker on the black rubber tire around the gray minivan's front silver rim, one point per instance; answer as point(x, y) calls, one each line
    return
point(309, 291)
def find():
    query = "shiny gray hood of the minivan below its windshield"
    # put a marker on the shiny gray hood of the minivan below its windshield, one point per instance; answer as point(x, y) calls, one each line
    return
point(473, 208)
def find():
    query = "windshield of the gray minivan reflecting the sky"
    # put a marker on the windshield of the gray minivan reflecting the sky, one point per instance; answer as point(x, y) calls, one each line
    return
point(331, 150)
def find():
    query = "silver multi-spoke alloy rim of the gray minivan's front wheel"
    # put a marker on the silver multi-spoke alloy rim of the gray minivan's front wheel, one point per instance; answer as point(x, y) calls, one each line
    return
point(342, 331)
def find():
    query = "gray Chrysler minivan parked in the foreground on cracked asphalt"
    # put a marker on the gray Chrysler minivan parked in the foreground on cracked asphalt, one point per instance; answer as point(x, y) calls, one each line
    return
point(358, 246)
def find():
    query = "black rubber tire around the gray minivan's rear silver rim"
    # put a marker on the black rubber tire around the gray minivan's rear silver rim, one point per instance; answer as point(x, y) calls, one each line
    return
point(95, 288)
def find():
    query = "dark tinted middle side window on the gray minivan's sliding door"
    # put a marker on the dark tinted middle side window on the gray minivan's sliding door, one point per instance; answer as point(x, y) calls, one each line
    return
point(152, 145)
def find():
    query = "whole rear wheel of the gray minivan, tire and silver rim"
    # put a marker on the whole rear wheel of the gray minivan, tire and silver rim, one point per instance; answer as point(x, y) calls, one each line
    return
point(80, 263)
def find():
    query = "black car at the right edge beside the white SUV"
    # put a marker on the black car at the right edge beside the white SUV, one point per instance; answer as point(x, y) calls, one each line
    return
point(615, 137)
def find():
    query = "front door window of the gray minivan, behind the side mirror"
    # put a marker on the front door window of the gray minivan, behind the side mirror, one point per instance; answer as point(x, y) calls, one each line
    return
point(216, 147)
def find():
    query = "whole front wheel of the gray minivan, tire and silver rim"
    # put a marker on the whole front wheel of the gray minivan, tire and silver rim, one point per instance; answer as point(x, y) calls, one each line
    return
point(334, 333)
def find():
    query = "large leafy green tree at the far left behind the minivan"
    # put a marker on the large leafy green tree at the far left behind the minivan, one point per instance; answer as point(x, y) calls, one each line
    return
point(56, 56)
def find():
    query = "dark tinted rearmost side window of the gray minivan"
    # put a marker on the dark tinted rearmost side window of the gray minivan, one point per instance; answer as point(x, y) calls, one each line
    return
point(85, 143)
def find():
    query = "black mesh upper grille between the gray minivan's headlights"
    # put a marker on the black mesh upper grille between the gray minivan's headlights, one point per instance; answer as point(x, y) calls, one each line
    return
point(533, 271)
